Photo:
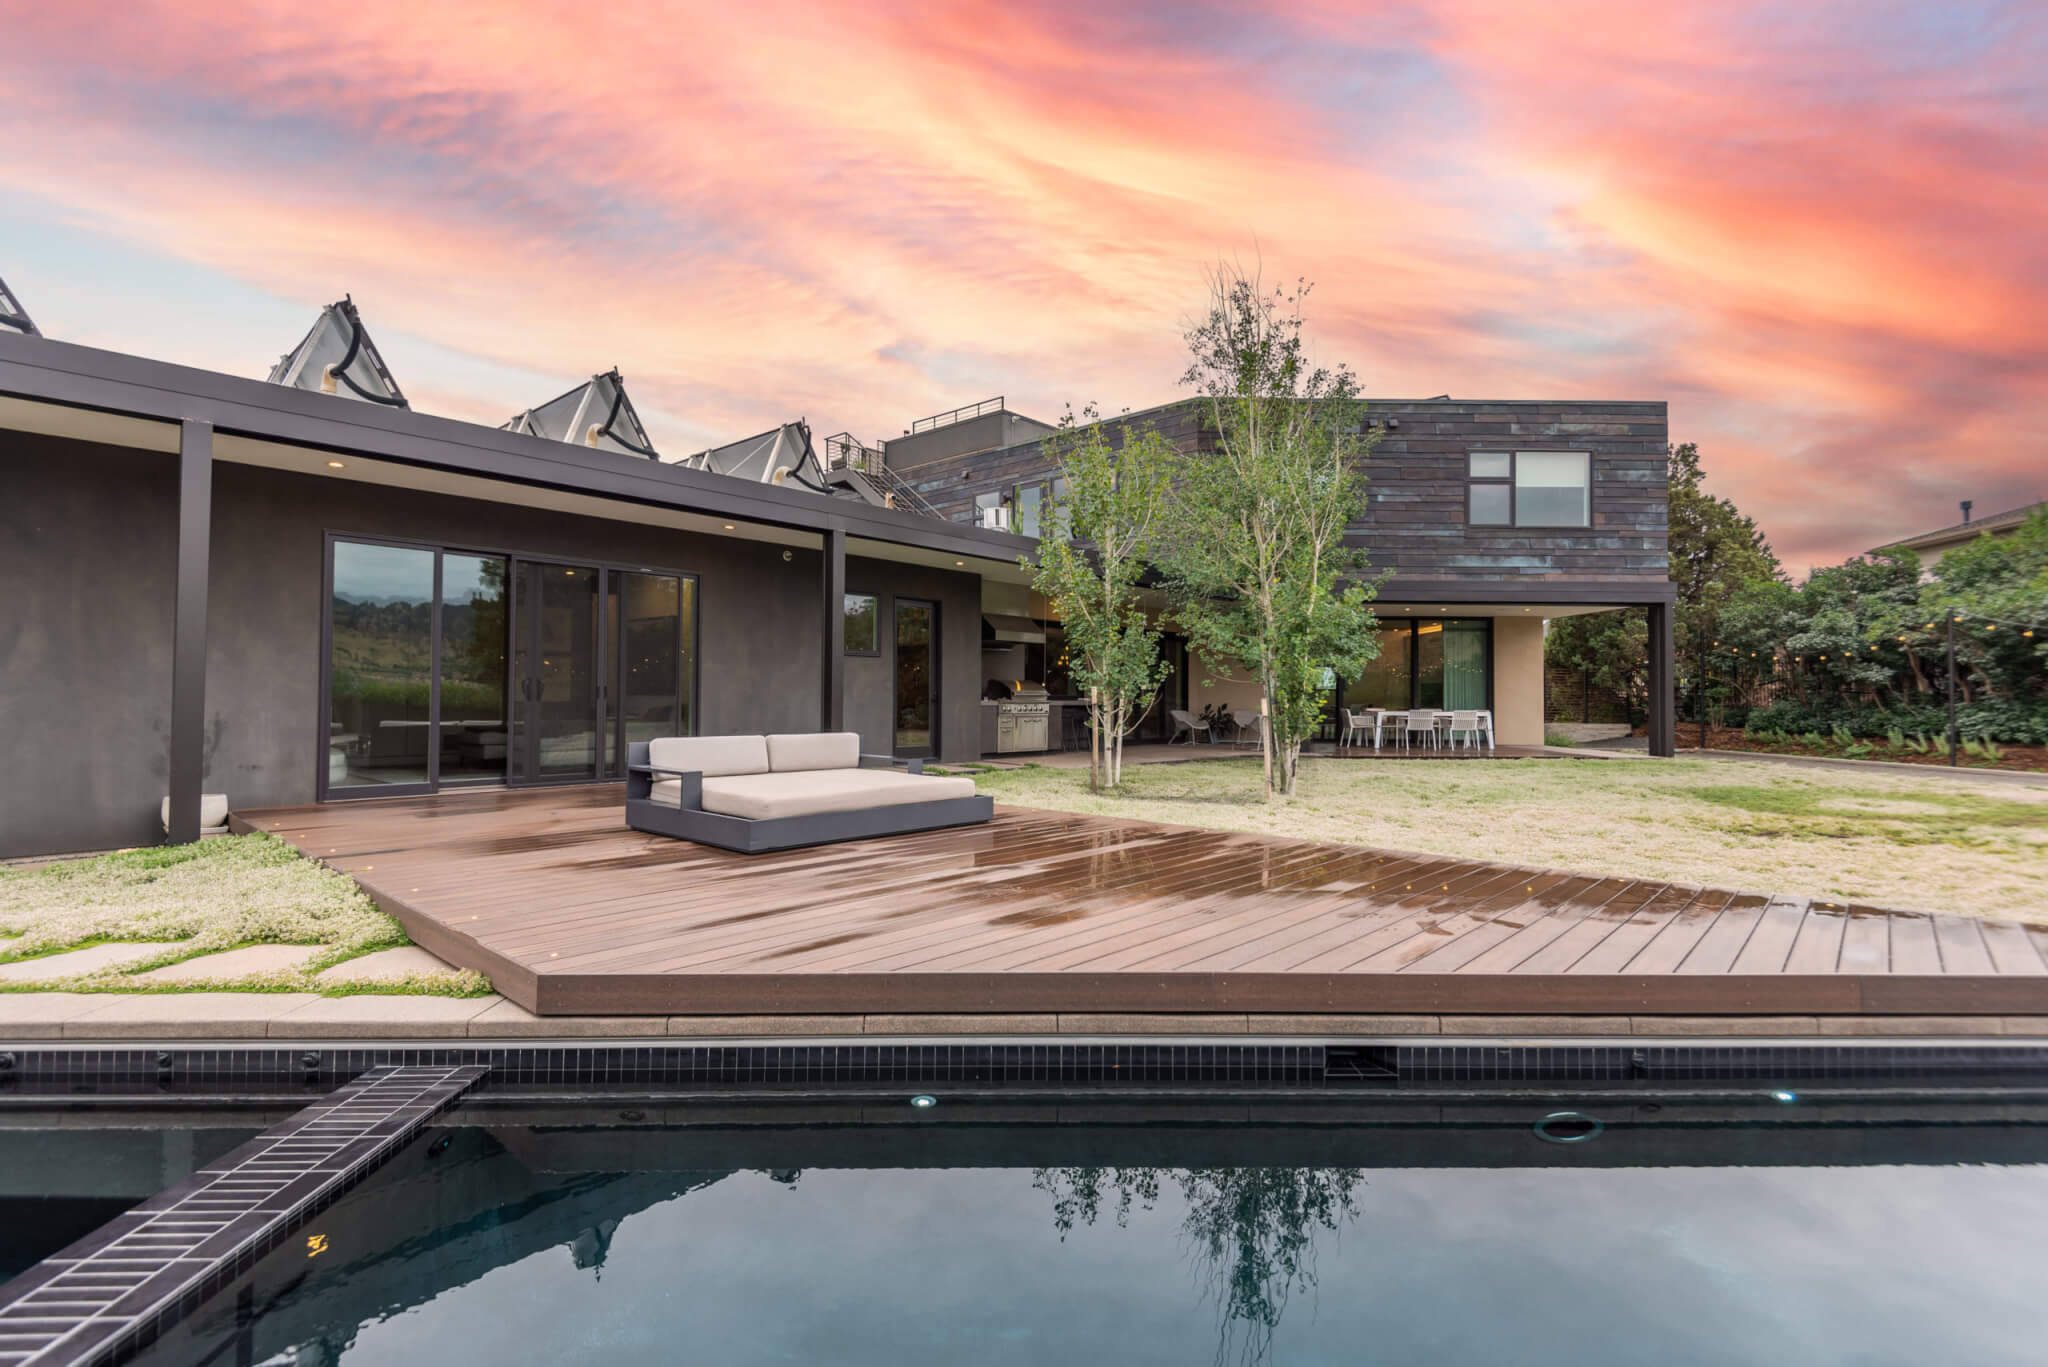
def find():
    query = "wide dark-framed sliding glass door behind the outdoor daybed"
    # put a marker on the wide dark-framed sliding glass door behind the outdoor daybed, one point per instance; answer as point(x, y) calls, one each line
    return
point(458, 667)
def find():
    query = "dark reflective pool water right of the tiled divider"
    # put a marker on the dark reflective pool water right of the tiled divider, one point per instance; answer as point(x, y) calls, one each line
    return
point(1134, 1231)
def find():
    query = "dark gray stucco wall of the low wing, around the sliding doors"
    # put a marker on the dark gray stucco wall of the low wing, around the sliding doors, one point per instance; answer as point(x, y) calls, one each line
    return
point(89, 556)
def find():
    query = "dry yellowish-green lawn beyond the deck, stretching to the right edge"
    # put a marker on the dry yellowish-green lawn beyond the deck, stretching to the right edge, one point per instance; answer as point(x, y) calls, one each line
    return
point(1885, 839)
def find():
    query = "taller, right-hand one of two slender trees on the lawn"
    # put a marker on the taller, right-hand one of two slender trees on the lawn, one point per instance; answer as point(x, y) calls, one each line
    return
point(1258, 569)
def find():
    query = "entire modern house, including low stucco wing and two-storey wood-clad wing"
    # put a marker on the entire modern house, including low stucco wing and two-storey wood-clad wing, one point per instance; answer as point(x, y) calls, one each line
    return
point(298, 589)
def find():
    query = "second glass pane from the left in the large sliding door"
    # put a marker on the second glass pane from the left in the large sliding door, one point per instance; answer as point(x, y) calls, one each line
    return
point(474, 595)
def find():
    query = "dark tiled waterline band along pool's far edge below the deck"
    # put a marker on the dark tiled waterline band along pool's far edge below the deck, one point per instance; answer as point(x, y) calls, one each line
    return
point(1013, 1063)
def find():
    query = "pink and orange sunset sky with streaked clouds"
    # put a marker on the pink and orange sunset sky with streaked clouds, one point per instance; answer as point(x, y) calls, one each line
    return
point(1820, 231)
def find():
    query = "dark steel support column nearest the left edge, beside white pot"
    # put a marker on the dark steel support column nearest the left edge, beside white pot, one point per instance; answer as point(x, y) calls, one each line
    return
point(189, 632)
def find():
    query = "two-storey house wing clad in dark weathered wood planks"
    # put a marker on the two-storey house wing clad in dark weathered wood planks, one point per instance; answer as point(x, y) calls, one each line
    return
point(1492, 515)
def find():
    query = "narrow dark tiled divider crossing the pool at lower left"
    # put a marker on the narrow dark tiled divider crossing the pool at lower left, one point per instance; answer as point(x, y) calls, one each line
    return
point(124, 1284)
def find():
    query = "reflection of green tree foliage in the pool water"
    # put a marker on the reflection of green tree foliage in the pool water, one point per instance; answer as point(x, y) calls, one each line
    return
point(1252, 1231)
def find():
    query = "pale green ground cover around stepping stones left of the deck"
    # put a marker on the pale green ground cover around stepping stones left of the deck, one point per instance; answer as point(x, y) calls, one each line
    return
point(196, 901)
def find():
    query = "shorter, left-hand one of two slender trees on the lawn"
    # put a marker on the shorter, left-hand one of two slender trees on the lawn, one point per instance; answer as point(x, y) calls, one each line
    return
point(1103, 532)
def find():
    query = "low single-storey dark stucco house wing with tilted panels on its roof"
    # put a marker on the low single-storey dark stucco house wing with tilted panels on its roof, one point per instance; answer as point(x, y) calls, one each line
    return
point(300, 589)
